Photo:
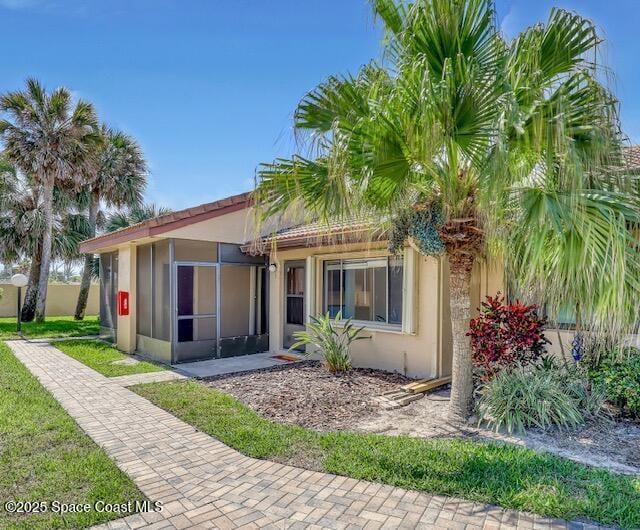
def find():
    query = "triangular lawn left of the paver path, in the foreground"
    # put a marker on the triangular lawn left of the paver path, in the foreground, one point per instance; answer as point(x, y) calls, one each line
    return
point(46, 457)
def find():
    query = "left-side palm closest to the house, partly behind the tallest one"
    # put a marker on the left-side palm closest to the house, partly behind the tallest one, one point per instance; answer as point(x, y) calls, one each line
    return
point(119, 181)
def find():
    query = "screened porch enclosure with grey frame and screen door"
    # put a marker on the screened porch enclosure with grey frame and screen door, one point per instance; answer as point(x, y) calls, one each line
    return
point(200, 300)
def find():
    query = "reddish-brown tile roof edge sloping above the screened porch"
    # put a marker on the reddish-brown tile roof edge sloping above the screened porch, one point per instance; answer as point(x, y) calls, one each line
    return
point(170, 221)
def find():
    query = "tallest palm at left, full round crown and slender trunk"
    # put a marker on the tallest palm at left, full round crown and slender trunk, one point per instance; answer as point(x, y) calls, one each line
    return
point(49, 138)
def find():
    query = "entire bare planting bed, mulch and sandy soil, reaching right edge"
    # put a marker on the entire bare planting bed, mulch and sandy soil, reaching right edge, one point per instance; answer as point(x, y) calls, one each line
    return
point(306, 394)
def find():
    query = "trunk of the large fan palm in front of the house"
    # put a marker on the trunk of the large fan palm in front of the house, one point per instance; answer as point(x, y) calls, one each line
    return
point(462, 367)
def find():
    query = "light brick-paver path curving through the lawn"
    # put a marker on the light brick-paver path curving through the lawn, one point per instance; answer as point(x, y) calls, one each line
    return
point(205, 484)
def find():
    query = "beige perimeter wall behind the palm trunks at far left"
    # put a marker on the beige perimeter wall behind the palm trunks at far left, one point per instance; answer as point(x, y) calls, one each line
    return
point(61, 299)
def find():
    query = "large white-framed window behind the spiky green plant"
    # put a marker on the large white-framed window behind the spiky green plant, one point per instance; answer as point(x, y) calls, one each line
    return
point(368, 290)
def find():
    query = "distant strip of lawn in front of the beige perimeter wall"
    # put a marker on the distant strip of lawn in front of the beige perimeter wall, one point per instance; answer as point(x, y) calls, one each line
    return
point(53, 327)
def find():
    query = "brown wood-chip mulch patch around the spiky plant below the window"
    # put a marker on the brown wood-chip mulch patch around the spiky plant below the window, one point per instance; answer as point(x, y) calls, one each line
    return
point(306, 394)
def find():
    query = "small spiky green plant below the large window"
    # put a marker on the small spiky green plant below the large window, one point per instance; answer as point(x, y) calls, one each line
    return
point(333, 338)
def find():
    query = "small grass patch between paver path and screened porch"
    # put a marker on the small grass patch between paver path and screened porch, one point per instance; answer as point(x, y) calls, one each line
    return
point(101, 357)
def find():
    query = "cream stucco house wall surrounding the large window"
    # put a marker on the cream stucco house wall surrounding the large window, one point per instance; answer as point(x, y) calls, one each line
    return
point(425, 352)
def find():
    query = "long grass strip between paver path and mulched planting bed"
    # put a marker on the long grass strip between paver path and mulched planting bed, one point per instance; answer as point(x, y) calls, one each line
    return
point(505, 475)
